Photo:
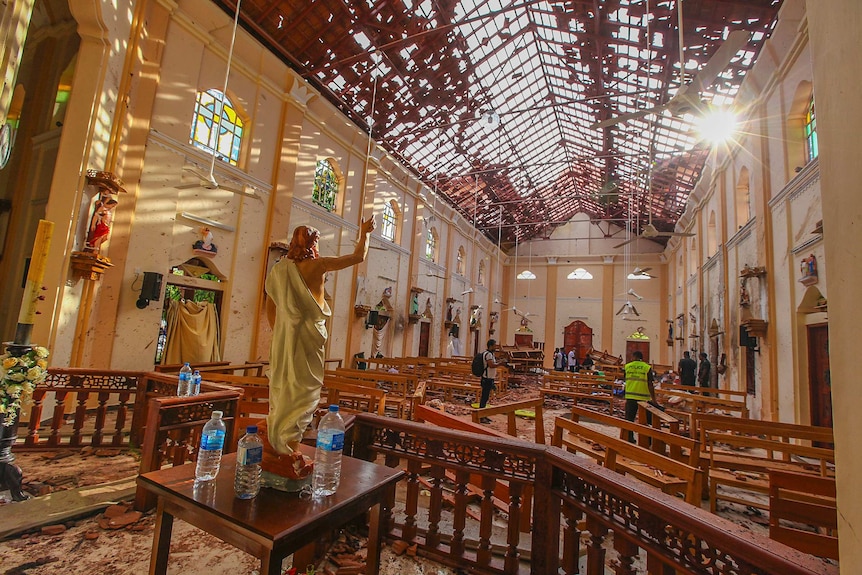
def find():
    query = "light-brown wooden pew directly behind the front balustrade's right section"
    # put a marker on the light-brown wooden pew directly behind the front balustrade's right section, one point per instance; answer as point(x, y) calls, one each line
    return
point(656, 469)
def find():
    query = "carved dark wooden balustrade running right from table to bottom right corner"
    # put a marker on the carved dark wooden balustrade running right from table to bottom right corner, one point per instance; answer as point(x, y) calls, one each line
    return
point(578, 506)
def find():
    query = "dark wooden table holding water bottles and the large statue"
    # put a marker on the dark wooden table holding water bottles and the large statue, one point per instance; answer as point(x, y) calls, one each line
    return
point(274, 524)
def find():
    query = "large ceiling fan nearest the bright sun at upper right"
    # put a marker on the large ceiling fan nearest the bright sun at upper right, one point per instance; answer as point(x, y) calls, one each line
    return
point(687, 97)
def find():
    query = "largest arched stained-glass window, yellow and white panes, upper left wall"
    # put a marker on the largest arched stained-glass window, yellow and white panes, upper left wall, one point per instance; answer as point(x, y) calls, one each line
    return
point(207, 134)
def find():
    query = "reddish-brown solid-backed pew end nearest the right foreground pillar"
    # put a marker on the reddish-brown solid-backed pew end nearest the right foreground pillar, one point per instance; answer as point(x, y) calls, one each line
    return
point(797, 500)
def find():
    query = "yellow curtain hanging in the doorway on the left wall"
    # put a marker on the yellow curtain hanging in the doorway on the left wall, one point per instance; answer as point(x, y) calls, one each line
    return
point(193, 333)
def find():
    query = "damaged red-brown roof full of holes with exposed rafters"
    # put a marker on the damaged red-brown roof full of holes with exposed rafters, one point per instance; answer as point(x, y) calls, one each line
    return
point(509, 109)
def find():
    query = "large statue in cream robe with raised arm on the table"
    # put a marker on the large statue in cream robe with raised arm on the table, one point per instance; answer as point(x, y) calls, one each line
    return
point(297, 311)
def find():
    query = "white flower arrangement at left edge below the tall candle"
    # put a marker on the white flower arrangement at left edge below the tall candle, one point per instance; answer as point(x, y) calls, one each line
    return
point(19, 376)
